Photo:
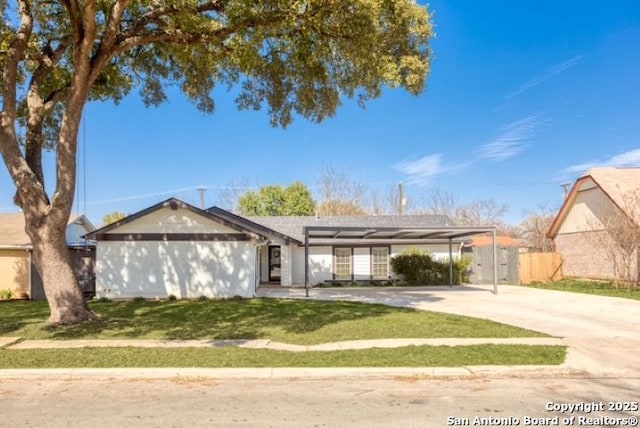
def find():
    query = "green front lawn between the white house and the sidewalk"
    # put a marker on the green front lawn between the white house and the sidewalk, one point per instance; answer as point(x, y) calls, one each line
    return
point(304, 322)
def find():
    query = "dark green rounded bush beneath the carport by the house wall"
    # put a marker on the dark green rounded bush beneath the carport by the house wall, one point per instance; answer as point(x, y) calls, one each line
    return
point(420, 268)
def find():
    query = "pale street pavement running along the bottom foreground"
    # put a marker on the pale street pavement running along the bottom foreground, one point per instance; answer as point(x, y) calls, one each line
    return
point(400, 402)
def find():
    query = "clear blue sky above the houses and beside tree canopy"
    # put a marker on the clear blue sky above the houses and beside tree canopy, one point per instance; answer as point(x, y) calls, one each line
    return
point(522, 97)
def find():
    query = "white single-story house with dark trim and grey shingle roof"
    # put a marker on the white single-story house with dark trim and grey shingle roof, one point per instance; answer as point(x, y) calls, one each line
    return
point(174, 248)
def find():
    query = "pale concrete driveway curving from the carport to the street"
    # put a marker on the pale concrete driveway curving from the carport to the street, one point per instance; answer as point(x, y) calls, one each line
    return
point(603, 333)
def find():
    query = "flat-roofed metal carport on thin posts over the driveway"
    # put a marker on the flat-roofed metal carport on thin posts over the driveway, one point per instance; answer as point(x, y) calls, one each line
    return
point(336, 235)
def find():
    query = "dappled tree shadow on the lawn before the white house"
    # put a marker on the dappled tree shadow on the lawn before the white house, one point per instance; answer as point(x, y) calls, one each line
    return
point(217, 319)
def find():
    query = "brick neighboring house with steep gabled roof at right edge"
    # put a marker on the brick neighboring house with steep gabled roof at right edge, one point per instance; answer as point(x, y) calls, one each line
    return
point(581, 223)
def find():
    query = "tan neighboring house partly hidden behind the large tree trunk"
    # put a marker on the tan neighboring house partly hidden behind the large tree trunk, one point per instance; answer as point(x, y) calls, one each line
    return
point(17, 270)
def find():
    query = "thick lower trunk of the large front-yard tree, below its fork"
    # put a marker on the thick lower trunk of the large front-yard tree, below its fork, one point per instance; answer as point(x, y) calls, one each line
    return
point(51, 256)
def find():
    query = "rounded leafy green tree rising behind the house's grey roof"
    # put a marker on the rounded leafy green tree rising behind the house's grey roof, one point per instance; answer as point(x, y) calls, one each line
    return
point(295, 199)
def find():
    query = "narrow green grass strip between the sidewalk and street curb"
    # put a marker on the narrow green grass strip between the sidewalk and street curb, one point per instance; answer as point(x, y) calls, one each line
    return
point(410, 356)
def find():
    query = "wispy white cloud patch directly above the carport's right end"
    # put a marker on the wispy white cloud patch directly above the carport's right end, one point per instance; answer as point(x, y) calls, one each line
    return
point(512, 139)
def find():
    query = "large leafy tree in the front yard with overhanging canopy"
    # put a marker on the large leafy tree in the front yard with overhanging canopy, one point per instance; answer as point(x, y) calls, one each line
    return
point(294, 57)
